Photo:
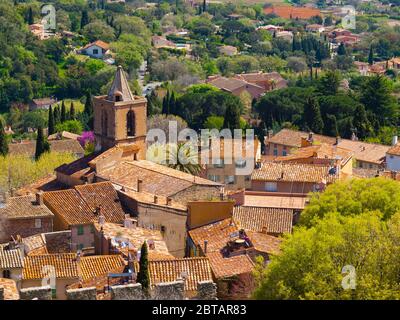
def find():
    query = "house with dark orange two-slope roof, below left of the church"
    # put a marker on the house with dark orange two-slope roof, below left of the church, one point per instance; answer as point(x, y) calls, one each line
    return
point(77, 209)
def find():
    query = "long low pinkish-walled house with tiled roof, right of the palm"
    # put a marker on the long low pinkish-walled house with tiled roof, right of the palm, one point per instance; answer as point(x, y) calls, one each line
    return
point(292, 178)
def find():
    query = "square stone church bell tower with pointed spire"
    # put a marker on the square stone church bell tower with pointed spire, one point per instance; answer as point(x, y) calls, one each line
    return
point(120, 117)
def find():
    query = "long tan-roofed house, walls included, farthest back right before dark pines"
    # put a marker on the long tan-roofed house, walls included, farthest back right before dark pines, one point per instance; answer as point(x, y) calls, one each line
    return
point(367, 155)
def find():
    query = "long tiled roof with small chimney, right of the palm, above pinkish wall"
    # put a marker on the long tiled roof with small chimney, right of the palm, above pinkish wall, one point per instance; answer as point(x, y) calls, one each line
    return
point(293, 172)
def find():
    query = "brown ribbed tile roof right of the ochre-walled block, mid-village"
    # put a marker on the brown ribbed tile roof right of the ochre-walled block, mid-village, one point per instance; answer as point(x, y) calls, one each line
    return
point(259, 219)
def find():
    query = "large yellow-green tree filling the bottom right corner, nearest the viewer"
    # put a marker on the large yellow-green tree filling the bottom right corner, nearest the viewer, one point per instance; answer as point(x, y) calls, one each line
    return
point(311, 261)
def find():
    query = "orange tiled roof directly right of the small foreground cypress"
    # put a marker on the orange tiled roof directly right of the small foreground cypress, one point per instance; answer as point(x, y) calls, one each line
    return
point(195, 269)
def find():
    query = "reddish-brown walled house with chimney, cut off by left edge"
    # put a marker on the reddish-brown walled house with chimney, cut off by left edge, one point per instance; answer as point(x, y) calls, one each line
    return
point(24, 216)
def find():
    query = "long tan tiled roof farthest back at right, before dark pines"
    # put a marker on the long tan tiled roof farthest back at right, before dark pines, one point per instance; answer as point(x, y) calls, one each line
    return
point(362, 151)
